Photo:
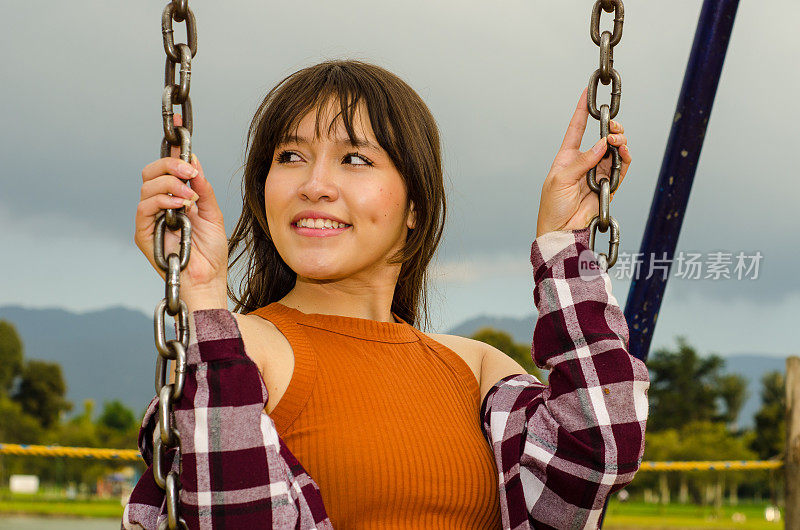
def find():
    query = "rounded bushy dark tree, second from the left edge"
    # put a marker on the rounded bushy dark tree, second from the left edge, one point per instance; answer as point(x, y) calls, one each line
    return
point(42, 391)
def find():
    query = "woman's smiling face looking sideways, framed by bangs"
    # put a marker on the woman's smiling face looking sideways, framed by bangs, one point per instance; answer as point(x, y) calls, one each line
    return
point(314, 184)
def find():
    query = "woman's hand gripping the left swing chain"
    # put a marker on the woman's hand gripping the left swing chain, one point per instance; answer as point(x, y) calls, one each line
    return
point(205, 277)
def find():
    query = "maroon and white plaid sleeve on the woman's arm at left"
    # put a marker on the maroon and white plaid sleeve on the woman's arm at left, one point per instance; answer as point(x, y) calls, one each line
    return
point(236, 471)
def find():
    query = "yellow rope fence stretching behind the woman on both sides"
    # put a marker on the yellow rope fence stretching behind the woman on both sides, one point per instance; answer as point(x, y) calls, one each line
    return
point(133, 455)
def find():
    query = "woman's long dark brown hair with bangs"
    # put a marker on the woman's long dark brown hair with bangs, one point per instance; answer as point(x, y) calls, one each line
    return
point(404, 128)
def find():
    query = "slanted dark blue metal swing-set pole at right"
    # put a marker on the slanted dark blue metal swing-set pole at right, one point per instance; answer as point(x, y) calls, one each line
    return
point(677, 172)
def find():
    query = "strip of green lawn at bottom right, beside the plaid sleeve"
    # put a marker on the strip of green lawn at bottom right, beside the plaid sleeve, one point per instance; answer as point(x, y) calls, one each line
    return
point(679, 516)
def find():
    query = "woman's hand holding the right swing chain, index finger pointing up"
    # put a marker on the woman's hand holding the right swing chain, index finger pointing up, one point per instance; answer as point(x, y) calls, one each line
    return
point(567, 203)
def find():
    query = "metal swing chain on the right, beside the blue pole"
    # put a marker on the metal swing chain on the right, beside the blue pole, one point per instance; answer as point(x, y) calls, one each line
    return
point(605, 74)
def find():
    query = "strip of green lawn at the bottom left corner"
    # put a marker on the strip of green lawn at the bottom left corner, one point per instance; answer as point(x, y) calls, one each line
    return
point(11, 504)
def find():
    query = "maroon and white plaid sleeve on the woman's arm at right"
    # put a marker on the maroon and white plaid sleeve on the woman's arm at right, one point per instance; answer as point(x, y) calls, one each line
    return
point(561, 449)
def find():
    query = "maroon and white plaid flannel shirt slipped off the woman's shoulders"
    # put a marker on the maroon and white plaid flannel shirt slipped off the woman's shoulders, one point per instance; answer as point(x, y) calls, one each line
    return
point(560, 449)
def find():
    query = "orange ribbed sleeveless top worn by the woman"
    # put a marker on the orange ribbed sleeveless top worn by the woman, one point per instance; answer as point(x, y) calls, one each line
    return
point(386, 421)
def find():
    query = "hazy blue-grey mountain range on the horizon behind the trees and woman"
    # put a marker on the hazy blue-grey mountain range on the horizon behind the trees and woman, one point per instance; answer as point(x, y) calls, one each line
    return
point(110, 353)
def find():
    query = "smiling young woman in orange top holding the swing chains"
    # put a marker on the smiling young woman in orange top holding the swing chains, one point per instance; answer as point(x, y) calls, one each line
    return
point(319, 402)
